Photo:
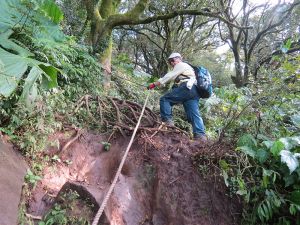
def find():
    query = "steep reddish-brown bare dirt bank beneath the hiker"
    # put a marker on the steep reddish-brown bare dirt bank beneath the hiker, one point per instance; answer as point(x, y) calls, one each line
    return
point(158, 185)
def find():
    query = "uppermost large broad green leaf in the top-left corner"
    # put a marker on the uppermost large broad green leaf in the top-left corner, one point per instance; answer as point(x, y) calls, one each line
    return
point(39, 17)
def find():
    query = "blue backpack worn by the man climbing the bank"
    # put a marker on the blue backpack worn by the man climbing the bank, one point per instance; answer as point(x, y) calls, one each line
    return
point(204, 82)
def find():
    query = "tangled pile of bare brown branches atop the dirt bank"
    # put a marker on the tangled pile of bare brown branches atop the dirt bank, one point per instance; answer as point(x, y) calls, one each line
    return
point(122, 115)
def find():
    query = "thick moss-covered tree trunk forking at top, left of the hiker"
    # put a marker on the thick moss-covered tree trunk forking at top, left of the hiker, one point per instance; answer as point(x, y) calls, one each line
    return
point(104, 17)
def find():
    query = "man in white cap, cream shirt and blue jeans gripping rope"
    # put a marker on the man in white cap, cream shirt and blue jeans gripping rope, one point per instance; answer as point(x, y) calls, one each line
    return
point(183, 91)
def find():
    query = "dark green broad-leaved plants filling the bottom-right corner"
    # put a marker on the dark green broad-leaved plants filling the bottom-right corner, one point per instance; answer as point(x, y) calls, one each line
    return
point(270, 188)
